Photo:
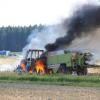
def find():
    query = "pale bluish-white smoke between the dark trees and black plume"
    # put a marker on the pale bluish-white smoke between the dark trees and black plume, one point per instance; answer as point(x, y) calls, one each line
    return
point(39, 38)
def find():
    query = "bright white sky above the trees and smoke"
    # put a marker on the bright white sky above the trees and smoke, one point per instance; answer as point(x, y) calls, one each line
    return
point(31, 12)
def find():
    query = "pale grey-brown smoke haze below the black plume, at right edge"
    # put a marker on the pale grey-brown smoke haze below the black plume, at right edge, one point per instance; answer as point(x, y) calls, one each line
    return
point(90, 43)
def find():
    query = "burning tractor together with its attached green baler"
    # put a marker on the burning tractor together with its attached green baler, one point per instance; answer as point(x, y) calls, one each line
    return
point(62, 61)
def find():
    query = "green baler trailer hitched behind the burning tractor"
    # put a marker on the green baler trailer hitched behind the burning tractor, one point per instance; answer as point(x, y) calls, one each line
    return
point(67, 62)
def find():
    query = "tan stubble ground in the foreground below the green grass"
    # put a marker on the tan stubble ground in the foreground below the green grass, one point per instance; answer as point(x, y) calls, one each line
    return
point(19, 91)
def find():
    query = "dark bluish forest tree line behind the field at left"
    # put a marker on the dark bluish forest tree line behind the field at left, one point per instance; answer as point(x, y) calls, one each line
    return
point(14, 38)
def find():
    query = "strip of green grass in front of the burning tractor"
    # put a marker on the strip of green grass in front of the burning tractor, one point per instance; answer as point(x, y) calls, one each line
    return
point(55, 79)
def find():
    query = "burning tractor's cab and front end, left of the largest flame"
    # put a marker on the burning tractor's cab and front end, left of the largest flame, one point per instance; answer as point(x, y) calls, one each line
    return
point(28, 64)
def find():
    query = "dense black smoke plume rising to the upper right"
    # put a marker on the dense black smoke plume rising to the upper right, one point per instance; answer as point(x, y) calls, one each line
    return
point(83, 21)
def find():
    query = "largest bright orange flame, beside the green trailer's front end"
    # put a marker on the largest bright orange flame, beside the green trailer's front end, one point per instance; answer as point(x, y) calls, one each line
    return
point(40, 67)
